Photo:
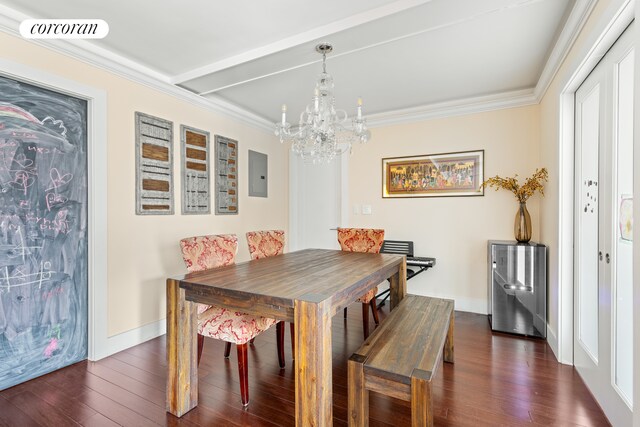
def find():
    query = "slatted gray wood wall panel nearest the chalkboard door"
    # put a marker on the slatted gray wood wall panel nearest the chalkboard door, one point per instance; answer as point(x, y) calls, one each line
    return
point(154, 161)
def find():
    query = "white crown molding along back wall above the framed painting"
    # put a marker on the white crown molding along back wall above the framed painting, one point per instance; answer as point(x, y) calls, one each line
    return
point(460, 107)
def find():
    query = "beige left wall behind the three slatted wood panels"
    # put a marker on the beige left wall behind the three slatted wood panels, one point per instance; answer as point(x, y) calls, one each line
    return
point(143, 250)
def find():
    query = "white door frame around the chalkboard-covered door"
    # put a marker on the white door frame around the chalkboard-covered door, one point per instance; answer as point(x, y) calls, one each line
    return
point(97, 192)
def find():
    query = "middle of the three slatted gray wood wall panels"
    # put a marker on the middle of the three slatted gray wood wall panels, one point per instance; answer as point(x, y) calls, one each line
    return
point(195, 171)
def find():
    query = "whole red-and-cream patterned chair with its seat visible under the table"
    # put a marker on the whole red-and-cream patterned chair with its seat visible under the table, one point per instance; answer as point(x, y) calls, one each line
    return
point(214, 251)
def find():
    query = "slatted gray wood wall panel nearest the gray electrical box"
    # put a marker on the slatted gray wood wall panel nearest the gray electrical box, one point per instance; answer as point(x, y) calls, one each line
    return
point(226, 156)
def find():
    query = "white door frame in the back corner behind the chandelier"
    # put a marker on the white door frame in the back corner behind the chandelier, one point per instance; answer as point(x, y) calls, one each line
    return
point(295, 198)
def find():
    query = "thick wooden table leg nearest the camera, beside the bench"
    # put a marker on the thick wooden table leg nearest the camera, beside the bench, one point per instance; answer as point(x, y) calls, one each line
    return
point(314, 401)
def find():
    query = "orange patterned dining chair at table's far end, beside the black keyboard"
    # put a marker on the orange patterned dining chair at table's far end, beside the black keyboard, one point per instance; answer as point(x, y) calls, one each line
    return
point(367, 240)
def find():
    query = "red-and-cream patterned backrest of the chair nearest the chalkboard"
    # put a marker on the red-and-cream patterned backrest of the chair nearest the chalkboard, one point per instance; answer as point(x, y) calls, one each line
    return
point(205, 252)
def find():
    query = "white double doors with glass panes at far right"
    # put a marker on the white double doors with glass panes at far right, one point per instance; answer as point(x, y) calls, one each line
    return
point(603, 335)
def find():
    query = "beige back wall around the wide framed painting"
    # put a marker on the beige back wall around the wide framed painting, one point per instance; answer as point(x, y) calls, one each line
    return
point(454, 230)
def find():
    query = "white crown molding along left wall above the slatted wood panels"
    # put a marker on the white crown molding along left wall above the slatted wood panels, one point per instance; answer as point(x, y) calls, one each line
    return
point(104, 59)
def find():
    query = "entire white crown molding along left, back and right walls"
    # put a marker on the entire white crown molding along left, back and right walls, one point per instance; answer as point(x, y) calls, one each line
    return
point(117, 64)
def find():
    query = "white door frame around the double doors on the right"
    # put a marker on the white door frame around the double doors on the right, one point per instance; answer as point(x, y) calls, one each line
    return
point(602, 41)
